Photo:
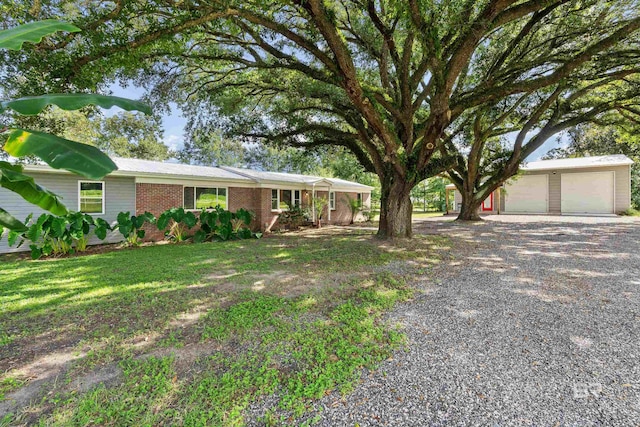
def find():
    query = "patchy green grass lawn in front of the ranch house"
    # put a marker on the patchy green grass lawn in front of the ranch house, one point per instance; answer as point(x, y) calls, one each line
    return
point(201, 334)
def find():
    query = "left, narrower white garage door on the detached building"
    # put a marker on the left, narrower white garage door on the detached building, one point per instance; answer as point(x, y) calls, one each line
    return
point(527, 194)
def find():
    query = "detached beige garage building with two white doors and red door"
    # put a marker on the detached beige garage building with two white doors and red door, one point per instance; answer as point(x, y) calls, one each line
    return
point(584, 185)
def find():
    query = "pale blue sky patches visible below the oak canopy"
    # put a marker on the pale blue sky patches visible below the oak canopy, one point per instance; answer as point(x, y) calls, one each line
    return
point(173, 124)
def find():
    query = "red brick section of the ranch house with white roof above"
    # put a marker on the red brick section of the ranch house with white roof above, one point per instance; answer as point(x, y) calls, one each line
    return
point(251, 190)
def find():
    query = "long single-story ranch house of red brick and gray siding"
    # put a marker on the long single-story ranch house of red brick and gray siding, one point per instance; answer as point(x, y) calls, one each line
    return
point(141, 185)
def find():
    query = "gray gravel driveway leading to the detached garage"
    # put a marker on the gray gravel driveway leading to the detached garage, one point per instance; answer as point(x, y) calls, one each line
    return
point(530, 321)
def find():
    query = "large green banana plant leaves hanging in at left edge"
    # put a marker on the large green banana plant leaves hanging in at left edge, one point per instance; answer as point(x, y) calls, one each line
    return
point(57, 152)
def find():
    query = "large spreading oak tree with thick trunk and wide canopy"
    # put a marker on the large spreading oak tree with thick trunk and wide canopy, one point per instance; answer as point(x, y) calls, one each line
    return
point(396, 82)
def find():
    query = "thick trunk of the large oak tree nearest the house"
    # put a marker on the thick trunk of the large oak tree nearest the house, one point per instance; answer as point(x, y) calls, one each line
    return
point(395, 209)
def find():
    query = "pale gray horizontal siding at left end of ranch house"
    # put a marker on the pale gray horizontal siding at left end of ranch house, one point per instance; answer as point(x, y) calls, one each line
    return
point(119, 192)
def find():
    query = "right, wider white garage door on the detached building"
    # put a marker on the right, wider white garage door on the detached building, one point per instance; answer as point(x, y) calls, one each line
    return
point(587, 192)
